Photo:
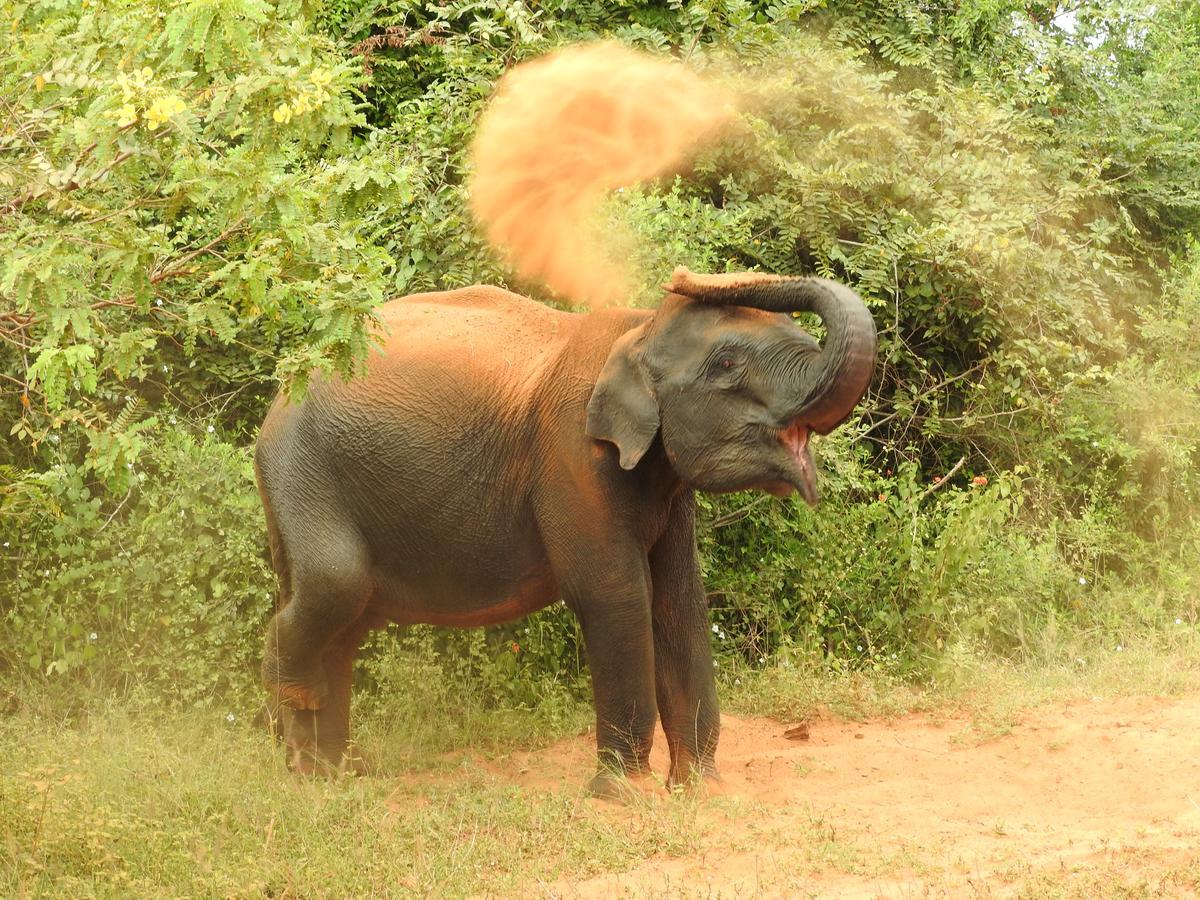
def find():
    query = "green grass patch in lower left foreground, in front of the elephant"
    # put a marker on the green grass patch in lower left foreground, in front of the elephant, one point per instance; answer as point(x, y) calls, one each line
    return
point(123, 805)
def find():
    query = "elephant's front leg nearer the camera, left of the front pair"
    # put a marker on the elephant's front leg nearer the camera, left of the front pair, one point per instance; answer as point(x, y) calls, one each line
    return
point(617, 633)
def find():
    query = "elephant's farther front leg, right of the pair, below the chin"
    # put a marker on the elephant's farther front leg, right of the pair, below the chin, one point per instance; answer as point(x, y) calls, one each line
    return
point(683, 658)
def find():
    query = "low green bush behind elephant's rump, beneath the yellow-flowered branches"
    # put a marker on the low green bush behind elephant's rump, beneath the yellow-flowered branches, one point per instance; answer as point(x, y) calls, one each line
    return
point(171, 585)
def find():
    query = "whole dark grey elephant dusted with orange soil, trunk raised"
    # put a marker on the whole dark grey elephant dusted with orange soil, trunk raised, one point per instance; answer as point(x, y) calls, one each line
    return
point(500, 455)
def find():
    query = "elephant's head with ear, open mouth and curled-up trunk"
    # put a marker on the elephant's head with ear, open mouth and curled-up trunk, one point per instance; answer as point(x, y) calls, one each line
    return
point(731, 382)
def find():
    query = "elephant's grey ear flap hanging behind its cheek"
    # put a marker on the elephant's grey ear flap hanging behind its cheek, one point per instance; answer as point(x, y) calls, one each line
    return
point(623, 409)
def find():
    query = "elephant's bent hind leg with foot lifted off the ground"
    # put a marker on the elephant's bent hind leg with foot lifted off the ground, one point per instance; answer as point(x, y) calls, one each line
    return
point(331, 590)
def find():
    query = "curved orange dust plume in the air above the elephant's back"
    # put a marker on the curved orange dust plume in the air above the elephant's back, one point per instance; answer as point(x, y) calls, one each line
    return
point(563, 131)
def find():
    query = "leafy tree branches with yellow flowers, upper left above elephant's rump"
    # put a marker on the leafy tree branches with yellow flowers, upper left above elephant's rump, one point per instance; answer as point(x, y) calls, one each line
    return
point(171, 203)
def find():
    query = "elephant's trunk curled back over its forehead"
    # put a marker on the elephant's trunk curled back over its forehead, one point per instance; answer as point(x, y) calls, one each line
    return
point(830, 387)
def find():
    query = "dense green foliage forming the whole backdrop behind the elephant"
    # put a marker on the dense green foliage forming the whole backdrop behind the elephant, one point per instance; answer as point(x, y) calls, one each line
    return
point(202, 202)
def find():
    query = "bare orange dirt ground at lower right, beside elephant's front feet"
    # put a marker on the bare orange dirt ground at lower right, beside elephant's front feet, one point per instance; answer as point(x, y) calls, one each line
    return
point(1078, 800)
